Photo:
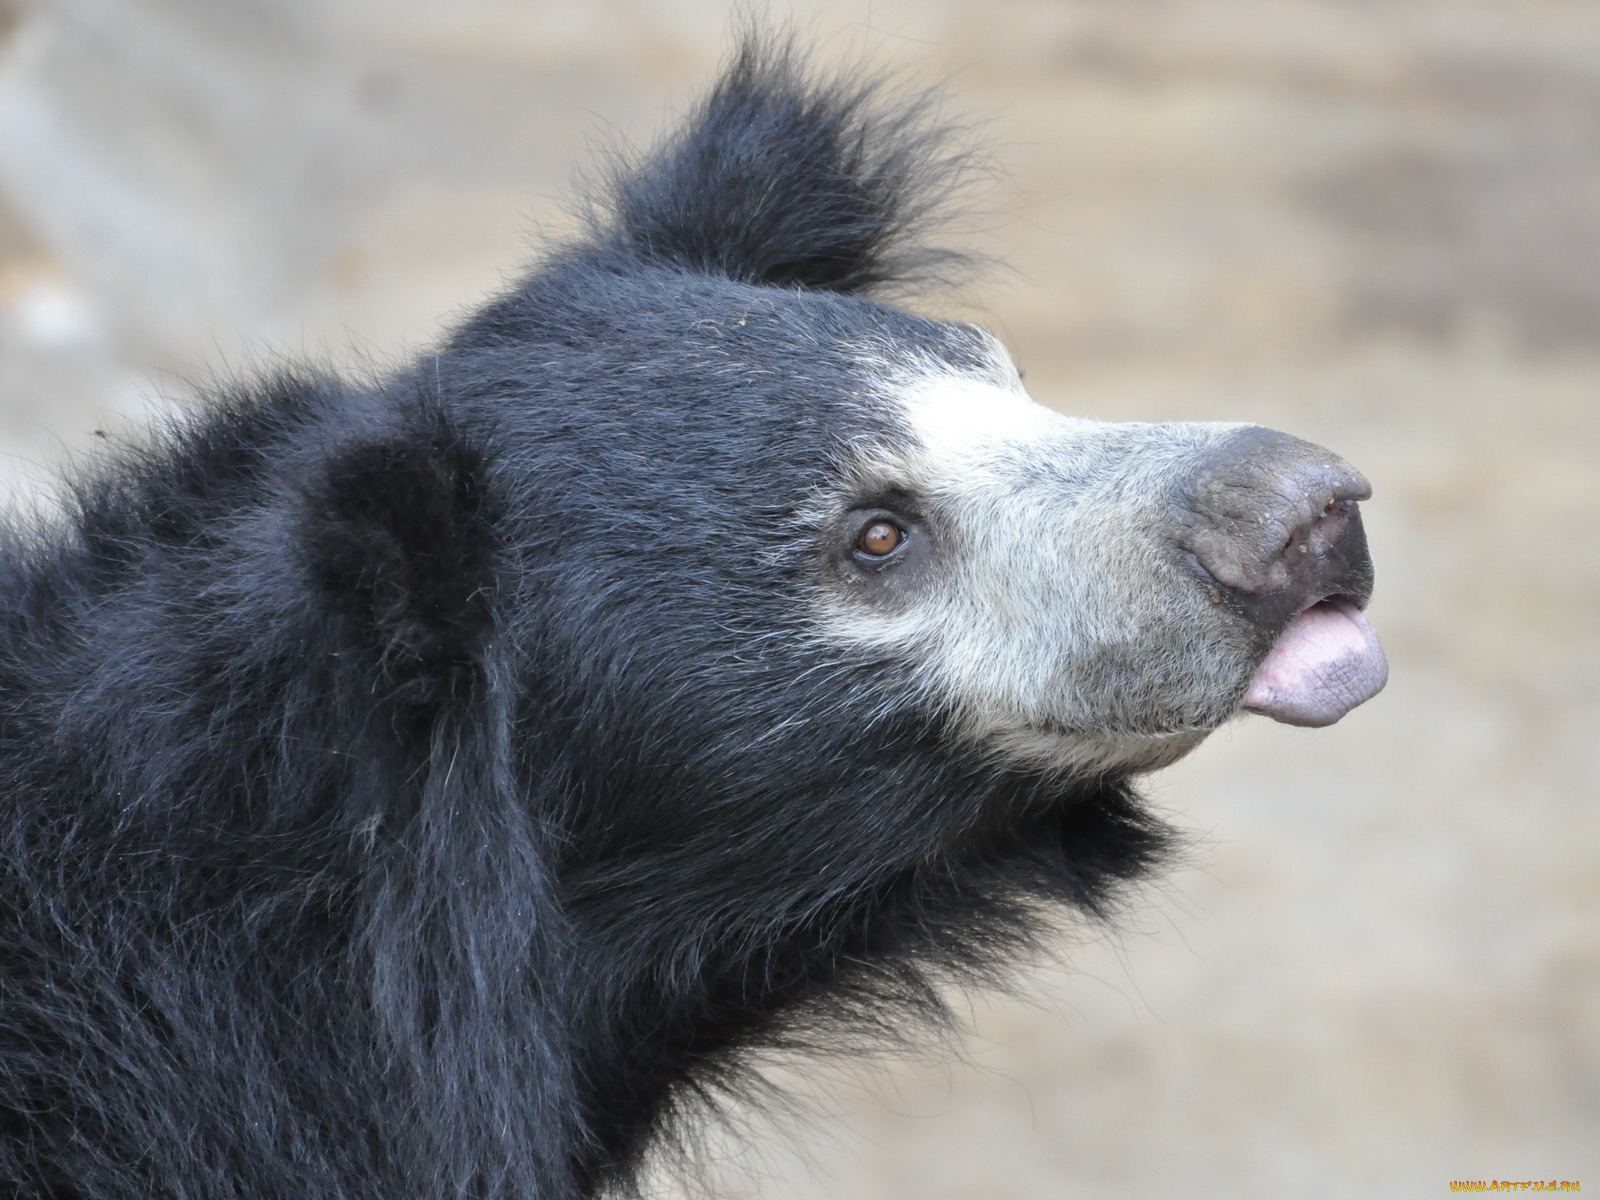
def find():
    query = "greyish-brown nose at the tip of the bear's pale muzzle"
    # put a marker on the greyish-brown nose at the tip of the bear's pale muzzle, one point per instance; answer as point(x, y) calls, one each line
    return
point(1274, 521)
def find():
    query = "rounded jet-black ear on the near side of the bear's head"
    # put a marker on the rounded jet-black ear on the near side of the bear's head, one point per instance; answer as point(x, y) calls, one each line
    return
point(401, 543)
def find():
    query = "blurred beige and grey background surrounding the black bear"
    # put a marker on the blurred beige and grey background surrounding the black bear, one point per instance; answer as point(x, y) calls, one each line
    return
point(1372, 223)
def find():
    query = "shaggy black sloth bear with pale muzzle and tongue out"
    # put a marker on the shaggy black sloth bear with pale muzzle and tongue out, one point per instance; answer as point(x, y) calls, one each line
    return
point(426, 788)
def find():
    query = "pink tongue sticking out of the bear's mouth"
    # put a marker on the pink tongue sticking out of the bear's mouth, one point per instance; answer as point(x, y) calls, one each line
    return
point(1324, 665)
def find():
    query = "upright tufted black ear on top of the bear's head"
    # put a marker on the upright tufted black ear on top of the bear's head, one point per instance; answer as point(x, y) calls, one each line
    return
point(785, 180)
